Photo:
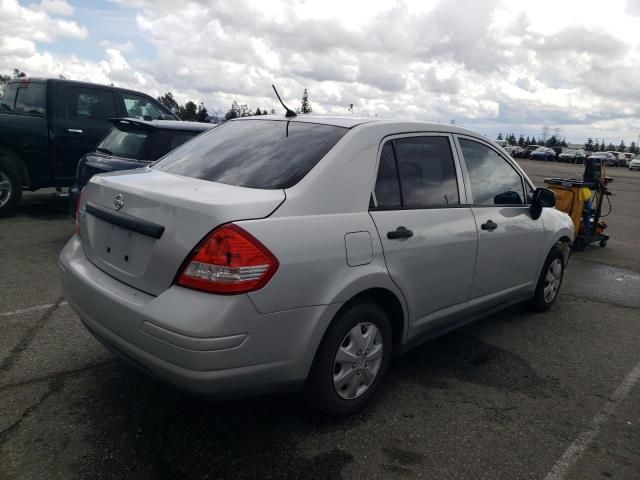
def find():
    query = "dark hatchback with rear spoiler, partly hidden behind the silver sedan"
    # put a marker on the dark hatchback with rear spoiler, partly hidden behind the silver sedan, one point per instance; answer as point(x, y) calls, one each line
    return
point(132, 144)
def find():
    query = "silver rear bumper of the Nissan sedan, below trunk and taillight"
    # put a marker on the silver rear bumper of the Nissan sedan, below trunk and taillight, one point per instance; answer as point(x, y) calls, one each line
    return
point(207, 344)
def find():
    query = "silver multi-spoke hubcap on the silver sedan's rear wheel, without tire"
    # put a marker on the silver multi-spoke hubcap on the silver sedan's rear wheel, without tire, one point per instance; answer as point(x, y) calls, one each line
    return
point(357, 360)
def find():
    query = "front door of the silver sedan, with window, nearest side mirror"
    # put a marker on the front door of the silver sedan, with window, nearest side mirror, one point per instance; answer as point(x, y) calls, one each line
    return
point(509, 240)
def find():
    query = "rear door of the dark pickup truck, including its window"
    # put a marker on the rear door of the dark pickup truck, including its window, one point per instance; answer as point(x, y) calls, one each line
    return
point(82, 114)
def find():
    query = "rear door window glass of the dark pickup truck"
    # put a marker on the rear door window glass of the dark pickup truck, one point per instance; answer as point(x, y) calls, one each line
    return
point(79, 103)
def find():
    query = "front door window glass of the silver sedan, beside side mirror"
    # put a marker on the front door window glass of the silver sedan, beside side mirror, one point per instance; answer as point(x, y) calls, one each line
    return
point(493, 180)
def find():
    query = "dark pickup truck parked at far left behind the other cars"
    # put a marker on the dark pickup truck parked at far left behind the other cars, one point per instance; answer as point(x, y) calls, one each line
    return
point(47, 125)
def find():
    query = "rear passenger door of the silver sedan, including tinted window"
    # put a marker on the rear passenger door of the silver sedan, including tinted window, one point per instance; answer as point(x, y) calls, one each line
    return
point(428, 233)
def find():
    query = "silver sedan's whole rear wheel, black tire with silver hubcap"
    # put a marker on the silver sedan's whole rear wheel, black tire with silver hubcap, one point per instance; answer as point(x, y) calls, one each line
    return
point(351, 360)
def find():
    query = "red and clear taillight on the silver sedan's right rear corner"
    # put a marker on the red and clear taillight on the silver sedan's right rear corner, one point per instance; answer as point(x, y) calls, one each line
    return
point(229, 260)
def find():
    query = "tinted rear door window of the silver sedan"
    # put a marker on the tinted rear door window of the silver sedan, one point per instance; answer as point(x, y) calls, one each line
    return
point(424, 169)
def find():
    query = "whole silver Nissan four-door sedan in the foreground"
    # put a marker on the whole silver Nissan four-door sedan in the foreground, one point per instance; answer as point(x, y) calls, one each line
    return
point(303, 253)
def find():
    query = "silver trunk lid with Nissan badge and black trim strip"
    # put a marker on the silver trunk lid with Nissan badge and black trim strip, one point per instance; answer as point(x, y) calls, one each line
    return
point(140, 226)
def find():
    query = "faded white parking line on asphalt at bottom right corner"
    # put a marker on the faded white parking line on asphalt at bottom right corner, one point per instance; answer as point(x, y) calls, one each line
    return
point(579, 446)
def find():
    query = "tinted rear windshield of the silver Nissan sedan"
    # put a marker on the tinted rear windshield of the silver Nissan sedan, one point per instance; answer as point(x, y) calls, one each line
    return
point(267, 154)
